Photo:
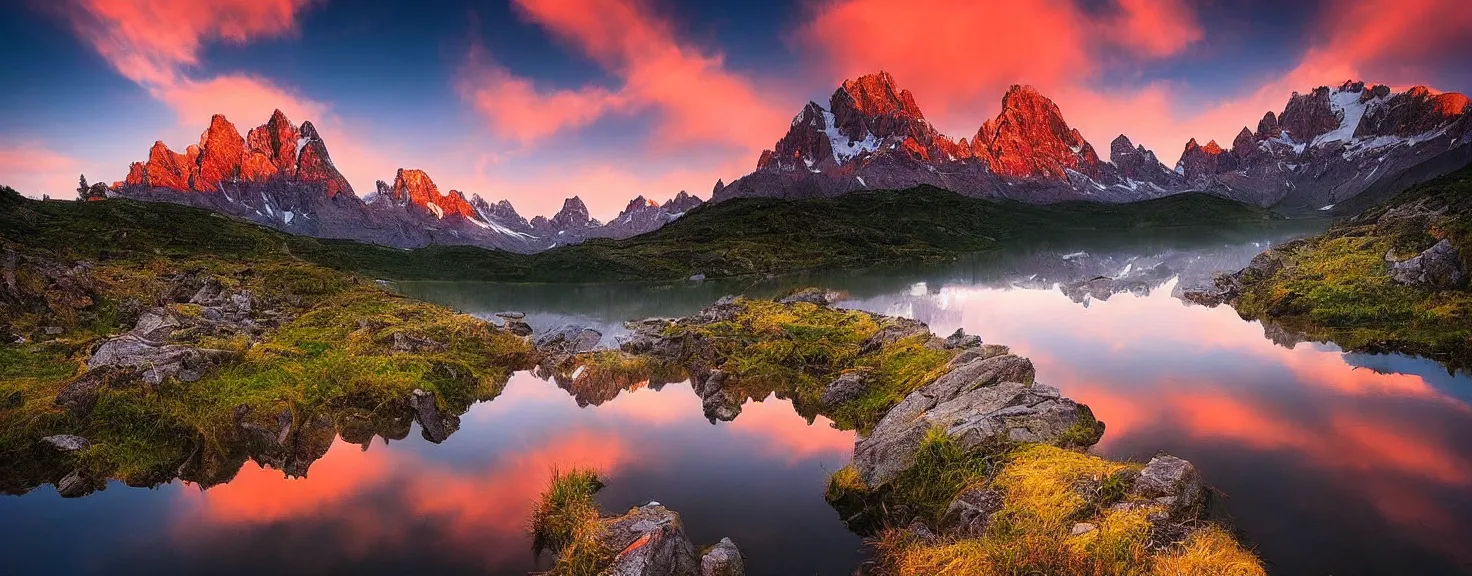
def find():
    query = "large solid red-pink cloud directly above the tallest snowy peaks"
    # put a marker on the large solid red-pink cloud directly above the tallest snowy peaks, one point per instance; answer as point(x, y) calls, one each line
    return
point(960, 66)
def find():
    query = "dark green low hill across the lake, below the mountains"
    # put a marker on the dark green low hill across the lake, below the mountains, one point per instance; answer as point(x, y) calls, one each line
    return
point(766, 236)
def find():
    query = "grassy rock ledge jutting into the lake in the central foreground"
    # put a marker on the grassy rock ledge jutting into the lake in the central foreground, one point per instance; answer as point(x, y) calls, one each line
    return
point(983, 400)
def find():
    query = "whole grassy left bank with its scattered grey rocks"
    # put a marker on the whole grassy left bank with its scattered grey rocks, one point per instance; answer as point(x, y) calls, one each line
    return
point(235, 348)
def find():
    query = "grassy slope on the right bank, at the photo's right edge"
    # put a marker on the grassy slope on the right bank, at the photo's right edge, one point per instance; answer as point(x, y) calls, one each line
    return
point(1339, 287)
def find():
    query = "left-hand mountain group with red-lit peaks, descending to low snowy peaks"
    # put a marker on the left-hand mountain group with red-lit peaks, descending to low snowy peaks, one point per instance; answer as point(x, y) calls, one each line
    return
point(282, 175)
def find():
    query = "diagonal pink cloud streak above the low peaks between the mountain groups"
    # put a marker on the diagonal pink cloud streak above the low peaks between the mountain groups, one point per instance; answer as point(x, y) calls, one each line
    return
point(696, 98)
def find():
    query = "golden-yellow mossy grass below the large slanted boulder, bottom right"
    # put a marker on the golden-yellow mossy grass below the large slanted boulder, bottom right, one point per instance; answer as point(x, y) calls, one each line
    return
point(1046, 491)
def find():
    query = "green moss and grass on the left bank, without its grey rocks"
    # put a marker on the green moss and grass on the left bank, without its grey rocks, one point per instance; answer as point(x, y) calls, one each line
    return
point(330, 356)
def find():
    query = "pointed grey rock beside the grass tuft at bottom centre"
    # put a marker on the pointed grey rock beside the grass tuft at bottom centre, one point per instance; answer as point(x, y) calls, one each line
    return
point(651, 541)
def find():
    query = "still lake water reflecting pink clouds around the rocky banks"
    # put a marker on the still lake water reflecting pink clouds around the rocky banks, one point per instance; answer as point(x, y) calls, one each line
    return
point(1330, 463)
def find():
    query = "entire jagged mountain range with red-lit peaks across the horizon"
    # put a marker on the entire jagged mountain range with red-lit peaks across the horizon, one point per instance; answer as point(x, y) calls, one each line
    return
point(1327, 148)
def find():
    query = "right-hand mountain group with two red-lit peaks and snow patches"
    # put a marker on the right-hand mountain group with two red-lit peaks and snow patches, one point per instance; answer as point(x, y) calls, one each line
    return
point(1324, 148)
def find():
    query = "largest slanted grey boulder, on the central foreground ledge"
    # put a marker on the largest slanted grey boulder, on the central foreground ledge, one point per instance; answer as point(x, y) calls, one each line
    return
point(987, 406)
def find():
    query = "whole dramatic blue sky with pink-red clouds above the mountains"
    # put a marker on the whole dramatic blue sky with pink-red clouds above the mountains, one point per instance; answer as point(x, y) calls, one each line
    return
point(535, 101)
